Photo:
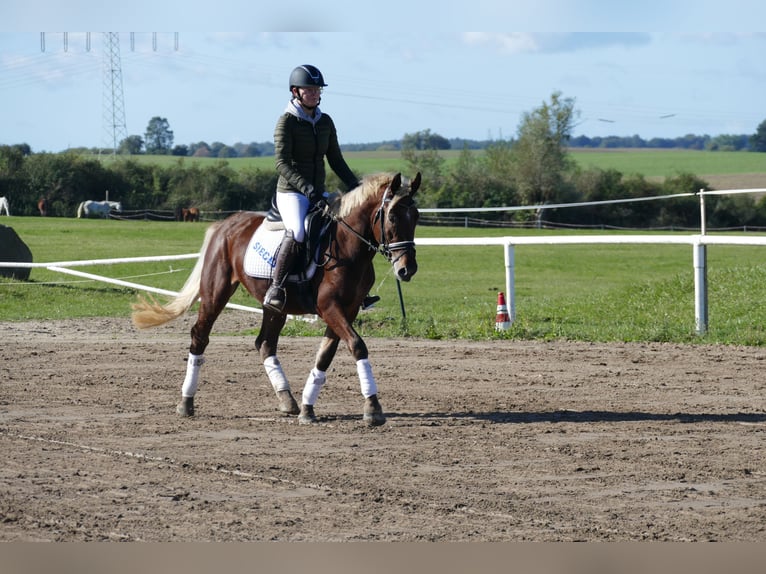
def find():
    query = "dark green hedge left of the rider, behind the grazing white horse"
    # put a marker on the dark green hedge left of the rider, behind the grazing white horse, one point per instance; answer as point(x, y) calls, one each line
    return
point(66, 179)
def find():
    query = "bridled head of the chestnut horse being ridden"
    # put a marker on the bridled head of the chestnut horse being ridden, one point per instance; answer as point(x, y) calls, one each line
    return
point(394, 225)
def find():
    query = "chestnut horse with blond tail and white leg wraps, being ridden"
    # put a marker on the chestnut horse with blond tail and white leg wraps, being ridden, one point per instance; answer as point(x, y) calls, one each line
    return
point(379, 216)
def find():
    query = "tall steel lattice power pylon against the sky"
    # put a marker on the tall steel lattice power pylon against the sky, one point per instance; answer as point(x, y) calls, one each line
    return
point(115, 128)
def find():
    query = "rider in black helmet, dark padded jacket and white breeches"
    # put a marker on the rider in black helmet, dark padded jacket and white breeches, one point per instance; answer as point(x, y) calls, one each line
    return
point(303, 137)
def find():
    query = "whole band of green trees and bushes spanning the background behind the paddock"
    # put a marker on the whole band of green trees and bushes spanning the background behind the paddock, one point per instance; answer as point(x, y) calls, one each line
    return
point(534, 168)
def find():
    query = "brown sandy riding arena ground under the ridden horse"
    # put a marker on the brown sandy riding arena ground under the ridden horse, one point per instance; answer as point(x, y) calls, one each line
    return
point(485, 441)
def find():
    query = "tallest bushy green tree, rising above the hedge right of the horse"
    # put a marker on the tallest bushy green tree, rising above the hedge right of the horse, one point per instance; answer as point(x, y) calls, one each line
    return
point(540, 152)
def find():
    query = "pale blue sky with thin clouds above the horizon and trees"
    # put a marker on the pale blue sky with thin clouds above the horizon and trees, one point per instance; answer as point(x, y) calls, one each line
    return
point(386, 77)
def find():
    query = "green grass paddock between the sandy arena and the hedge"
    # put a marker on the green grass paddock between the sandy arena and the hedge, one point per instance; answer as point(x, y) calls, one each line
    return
point(578, 292)
